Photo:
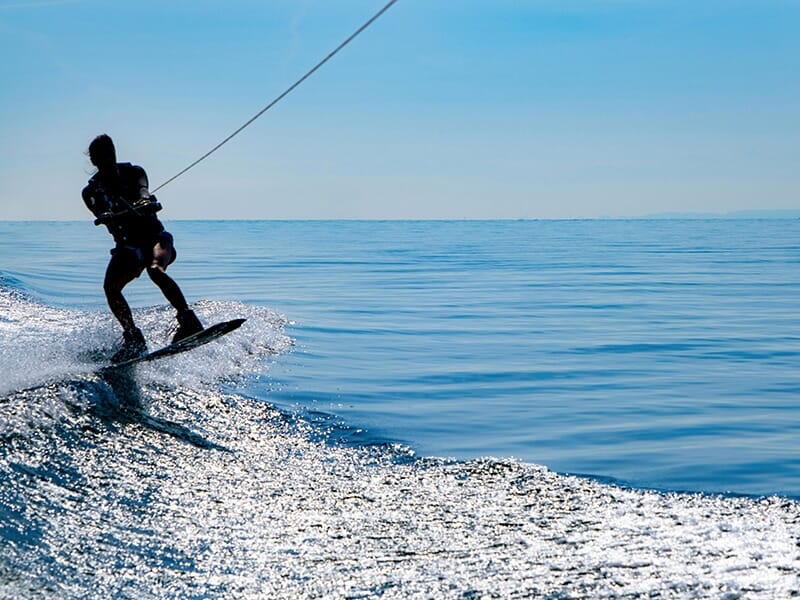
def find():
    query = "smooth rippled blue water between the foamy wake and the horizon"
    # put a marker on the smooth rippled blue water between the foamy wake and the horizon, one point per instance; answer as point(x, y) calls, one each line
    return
point(659, 353)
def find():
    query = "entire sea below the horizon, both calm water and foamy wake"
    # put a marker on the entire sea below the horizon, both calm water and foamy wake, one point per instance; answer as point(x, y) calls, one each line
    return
point(413, 409)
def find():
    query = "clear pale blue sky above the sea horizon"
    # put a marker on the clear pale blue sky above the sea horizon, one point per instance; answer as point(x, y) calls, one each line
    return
point(442, 109)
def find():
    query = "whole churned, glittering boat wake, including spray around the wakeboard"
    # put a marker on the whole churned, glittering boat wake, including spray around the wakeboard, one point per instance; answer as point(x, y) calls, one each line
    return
point(169, 481)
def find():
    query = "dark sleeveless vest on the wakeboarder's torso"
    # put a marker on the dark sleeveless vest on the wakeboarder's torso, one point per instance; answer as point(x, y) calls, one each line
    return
point(119, 194)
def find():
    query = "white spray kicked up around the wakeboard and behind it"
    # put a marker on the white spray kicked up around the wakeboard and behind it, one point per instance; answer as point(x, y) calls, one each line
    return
point(39, 343)
